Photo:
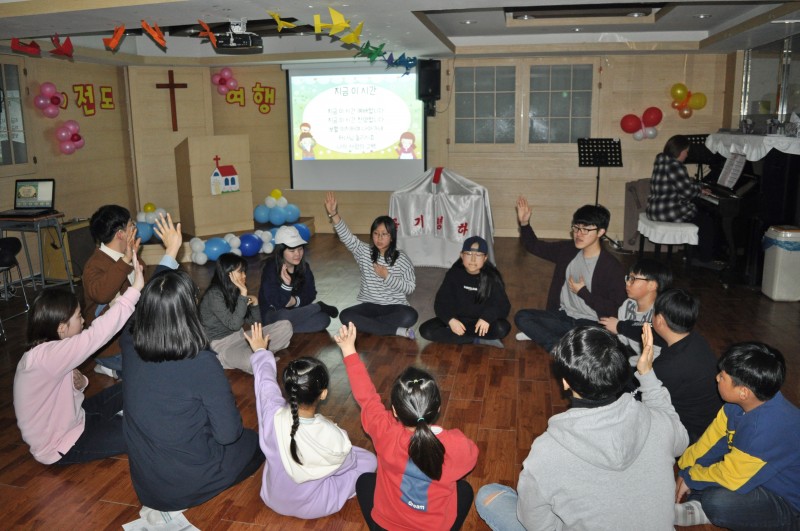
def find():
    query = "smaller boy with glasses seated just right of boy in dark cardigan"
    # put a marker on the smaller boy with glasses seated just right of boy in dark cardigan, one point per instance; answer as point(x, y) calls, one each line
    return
point(645, 280)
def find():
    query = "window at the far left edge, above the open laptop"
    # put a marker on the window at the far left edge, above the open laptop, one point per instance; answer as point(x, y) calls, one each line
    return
point(13, 144)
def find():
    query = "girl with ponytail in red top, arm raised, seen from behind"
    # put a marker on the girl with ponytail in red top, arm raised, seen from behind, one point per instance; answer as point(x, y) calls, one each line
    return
point(420, 482)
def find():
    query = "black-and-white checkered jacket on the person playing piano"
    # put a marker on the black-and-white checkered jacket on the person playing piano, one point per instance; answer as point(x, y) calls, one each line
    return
point(671, 191)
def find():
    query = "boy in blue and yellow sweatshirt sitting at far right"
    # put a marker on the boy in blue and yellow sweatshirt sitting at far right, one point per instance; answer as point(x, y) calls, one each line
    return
point(744, 472)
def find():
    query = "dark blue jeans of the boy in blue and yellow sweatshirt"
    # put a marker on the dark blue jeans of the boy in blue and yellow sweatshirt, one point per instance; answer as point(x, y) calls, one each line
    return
point(757, 510)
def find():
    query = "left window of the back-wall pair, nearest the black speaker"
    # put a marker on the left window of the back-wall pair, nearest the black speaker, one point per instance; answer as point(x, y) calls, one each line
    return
point(485, 109)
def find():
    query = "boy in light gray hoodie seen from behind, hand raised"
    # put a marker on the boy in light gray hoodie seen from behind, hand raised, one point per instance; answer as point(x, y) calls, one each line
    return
point(601, 454)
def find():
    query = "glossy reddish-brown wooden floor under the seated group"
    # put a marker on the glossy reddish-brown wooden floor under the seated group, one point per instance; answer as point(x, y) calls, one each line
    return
point(499, 398)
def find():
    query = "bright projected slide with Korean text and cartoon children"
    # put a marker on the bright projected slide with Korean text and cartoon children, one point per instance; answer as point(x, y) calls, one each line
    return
point(355, 117)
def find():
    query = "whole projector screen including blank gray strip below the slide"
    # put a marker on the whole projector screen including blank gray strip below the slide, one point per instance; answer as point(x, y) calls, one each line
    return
point(355, 128)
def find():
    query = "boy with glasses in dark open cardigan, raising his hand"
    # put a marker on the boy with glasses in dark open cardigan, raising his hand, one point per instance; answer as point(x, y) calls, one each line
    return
point(587, 282)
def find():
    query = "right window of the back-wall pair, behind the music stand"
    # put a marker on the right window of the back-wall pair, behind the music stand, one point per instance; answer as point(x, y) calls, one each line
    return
point(560, 103)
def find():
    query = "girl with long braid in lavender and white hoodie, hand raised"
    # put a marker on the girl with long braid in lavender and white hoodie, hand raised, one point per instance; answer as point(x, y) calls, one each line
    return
point(311, 468)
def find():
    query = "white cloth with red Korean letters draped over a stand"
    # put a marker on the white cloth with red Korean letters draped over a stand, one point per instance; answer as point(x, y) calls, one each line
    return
point(436, 213)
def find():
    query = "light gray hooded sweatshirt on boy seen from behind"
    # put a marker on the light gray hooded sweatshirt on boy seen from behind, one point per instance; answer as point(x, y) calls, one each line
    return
point(609, 467)
